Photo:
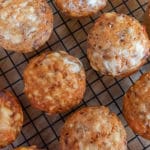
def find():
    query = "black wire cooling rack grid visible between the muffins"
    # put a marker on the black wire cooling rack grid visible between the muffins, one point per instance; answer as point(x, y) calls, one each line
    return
point(70, 35)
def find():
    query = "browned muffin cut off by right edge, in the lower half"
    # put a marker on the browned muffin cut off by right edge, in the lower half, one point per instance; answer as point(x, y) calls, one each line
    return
point(136, 106)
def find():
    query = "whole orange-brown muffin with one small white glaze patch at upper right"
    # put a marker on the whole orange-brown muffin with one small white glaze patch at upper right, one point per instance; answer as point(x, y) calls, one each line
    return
point(54, 82)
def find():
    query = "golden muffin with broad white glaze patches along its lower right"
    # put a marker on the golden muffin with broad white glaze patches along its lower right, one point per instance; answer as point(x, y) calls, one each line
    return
point(117, 45)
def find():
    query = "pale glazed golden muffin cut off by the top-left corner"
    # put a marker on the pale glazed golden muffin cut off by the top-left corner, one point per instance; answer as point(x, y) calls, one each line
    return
point(25, 25)
